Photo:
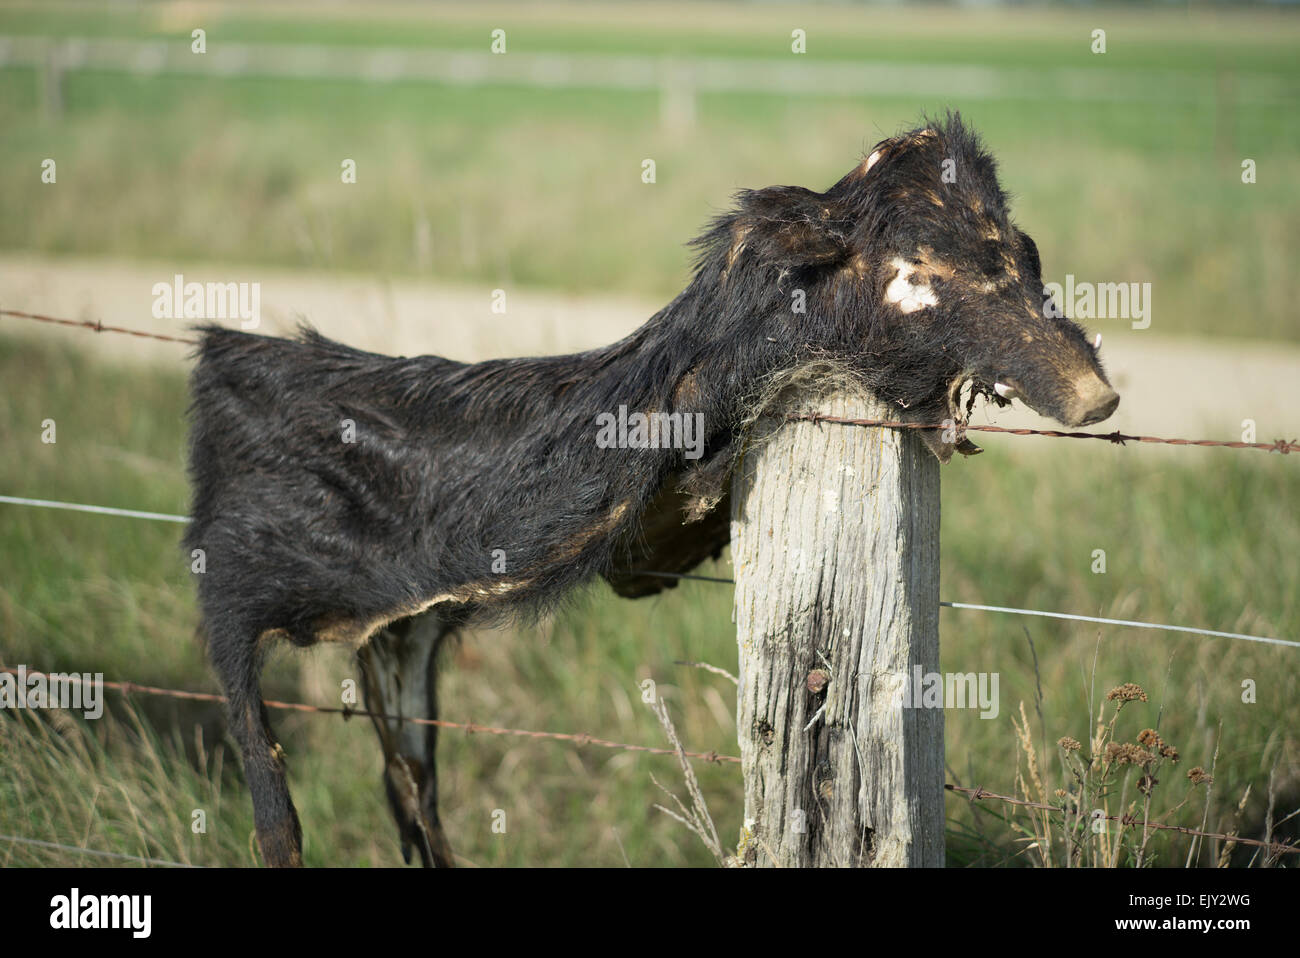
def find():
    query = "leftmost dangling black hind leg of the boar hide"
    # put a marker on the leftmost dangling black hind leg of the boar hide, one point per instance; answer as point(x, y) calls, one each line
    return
point(239, 665)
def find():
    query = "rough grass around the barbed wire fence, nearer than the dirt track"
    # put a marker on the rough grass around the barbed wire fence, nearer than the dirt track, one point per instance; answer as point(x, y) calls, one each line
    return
point(1191, 537)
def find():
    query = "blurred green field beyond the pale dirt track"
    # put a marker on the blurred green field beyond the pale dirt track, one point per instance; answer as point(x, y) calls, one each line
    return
point(523, 187)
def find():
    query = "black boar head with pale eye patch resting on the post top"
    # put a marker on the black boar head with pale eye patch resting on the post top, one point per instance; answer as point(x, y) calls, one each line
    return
point(921, 284)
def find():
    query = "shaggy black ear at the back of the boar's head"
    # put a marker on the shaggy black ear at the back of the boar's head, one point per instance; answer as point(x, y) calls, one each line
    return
point(794, 227)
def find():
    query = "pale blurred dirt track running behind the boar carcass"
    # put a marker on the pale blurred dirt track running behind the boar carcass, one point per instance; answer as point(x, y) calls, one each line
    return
point(1171, 387)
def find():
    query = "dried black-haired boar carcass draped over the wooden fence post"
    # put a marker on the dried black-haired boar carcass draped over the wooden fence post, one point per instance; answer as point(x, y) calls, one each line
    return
point(343, 496)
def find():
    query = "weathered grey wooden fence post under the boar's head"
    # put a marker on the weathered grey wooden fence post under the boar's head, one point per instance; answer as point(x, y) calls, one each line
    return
point(835, 541)
